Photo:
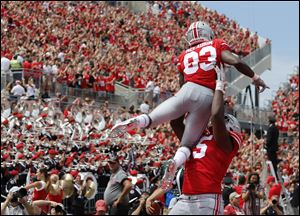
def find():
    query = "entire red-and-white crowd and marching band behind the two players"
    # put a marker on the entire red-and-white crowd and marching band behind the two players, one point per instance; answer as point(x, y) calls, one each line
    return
point(45, 139)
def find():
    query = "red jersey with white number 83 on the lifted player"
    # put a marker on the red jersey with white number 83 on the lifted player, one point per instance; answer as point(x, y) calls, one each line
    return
point(197, 63)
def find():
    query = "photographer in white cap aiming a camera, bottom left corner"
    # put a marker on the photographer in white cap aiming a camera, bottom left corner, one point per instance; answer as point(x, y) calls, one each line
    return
point(12, 206)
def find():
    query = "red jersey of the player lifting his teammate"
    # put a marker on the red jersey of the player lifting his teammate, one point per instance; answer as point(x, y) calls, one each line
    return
point(204, 173)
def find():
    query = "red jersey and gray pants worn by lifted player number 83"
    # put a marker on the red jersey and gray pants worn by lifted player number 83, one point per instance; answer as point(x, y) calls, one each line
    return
point(195, 97)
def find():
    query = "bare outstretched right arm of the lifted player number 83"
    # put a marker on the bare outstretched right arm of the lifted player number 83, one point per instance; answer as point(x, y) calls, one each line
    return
point(242, 67)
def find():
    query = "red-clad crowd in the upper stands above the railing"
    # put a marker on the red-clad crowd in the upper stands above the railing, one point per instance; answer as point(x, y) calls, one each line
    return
point(54, 38)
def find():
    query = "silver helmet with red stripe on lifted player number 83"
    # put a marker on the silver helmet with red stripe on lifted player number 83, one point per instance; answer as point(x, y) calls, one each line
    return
point(199, 32)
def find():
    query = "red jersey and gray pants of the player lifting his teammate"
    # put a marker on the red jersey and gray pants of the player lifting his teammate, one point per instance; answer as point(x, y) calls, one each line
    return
point(203, 174)
